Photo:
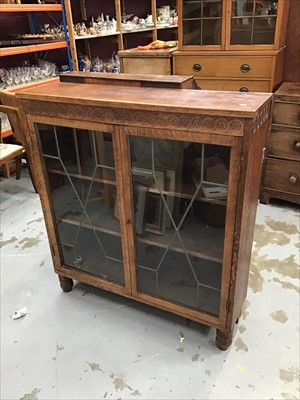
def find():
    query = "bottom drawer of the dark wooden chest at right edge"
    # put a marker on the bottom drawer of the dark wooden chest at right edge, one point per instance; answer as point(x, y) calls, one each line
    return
point(282, 175)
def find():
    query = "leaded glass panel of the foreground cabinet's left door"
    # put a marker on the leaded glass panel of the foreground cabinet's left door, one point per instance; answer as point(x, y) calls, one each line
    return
point(80, 170)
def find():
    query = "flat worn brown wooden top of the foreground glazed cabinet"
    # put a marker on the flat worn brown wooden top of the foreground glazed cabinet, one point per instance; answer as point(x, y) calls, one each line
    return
point(152, 99)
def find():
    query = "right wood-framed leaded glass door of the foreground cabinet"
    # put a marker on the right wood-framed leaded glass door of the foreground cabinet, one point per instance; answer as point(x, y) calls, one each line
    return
point(183, 197)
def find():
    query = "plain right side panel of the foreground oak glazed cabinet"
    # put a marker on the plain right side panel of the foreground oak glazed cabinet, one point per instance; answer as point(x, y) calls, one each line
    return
point(251, 168)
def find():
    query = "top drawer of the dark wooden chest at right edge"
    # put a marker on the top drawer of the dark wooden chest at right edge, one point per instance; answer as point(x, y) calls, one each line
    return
point(285, 113)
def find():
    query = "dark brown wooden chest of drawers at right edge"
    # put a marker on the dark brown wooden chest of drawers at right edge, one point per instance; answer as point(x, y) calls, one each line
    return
point(281, 172)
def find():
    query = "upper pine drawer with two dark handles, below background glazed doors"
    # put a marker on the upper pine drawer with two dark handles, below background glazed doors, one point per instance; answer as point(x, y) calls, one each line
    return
point(223, 66)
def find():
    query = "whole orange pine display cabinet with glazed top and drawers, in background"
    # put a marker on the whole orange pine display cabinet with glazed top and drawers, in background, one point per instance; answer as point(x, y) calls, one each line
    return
point(232, 44)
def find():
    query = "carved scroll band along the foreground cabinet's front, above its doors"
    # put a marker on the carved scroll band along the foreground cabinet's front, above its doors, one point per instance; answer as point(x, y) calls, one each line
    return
point(152, 119)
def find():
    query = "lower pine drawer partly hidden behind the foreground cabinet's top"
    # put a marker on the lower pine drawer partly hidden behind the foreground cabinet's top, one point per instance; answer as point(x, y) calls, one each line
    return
point(234, 84)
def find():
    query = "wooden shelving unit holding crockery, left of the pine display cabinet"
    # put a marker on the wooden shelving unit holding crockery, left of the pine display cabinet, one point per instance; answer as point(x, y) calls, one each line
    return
point(103, 45)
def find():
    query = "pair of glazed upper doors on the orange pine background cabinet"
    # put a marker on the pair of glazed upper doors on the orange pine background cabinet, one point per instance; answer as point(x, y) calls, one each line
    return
point(232, 24)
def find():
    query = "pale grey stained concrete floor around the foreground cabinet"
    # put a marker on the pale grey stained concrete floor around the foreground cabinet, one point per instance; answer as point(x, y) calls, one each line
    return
point(90, 344)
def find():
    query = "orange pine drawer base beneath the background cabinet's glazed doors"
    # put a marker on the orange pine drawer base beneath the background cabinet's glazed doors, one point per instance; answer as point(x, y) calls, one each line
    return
point(245, 72)
